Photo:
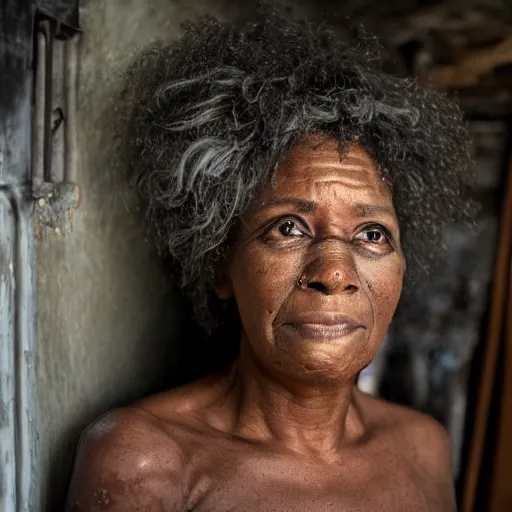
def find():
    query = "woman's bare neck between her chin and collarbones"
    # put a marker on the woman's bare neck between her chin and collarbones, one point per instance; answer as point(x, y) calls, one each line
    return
point(306, 417)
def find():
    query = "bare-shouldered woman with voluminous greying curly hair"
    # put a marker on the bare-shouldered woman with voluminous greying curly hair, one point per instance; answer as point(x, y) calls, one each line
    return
point(289, 178)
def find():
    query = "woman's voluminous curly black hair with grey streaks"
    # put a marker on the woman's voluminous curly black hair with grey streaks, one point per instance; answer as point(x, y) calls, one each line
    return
point(217, 109)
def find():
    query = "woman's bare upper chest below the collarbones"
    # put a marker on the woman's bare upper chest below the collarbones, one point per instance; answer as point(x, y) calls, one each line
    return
point(252, 482)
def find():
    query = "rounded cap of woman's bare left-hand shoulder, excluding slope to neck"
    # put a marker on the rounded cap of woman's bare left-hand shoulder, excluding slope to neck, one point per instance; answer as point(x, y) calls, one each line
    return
point(127, 461)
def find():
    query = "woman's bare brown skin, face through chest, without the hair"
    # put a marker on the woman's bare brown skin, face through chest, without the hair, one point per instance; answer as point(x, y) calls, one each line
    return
point(317, 273)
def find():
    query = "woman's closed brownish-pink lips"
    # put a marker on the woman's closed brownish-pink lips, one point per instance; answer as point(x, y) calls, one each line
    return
point(323, 326)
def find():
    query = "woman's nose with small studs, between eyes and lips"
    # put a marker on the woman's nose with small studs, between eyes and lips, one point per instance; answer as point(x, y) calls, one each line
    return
point(331, 270)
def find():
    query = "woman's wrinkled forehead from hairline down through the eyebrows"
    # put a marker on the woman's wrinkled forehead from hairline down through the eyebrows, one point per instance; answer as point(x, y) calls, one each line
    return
point(316, 178)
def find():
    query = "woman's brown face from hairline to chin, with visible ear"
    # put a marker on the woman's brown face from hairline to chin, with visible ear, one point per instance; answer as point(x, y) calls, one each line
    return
point(317, 269)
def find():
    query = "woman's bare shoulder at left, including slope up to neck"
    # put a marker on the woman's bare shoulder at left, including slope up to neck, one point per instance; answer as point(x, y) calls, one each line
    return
point(139, 457)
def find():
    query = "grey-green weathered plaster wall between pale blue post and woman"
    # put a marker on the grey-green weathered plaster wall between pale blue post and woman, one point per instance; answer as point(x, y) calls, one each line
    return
point(108, 324)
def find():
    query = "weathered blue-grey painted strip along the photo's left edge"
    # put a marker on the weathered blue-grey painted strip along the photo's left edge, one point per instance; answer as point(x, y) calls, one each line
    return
point(17, 432)
